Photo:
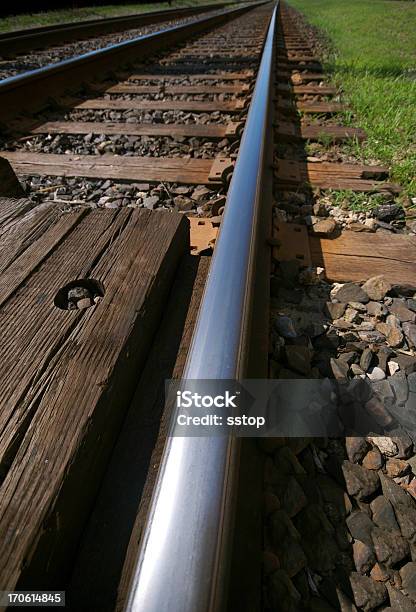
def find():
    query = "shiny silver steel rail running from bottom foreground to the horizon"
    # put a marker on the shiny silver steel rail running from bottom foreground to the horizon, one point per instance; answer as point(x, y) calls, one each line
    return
point(183, 562)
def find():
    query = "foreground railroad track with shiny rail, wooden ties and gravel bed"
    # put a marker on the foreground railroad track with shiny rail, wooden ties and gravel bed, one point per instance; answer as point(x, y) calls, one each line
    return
point(230, 123)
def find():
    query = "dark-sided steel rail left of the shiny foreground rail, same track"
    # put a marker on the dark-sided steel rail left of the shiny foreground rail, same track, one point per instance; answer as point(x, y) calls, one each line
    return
point(30, 91)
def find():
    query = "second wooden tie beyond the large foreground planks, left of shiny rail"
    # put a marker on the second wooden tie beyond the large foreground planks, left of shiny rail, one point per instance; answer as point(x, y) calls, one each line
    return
point(212, 130)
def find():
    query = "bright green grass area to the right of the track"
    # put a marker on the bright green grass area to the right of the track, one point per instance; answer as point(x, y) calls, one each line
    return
point(372, 56)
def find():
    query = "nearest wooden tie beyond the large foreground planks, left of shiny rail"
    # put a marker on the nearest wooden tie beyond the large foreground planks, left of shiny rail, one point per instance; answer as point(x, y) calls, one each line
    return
point(152, 169)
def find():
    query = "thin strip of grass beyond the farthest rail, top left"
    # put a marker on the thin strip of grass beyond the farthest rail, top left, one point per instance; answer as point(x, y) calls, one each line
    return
point(18, 22)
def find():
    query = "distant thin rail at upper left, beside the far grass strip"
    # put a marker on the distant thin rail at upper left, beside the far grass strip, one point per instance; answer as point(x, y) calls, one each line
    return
point(20, 41)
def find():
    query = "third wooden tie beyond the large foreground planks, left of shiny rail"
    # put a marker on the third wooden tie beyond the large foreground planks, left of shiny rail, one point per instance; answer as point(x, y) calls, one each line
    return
point(185, 105)
